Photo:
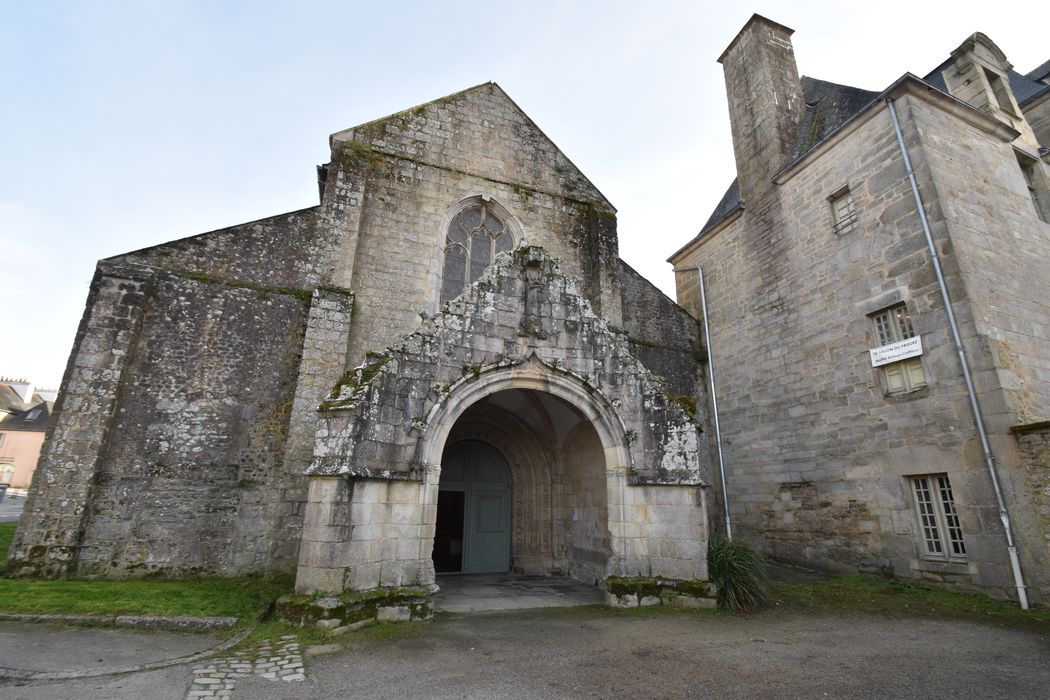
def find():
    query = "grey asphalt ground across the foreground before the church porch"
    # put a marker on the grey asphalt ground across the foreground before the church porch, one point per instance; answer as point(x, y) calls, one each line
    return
point(600, 653)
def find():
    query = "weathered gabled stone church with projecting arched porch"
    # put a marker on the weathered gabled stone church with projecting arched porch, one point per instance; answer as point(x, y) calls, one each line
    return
point(443, 366)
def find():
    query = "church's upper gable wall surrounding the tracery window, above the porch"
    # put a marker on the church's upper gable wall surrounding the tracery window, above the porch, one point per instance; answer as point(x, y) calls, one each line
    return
point(419, 164)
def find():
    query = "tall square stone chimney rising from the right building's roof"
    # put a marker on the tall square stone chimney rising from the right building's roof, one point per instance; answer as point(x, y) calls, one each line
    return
point(765, 102)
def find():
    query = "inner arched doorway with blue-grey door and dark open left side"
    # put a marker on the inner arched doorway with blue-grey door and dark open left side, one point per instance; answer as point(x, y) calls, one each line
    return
point(473, 528)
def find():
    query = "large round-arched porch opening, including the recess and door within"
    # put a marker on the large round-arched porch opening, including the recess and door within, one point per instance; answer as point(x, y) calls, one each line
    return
point(557, 513)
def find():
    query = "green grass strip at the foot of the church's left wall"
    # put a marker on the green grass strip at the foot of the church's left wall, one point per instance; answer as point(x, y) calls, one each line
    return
point(244, 599)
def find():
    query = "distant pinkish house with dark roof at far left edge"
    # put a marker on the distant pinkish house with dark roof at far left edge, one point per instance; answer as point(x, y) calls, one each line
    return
point(24, 420)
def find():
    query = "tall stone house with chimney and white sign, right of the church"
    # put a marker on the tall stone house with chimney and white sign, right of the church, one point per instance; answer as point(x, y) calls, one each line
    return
point(849, 435)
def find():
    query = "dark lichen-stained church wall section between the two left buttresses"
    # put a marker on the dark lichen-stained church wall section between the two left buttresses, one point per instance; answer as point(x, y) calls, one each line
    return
point(196, 452)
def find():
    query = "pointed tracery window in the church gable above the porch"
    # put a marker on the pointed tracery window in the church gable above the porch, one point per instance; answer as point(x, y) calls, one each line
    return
point(475, 238)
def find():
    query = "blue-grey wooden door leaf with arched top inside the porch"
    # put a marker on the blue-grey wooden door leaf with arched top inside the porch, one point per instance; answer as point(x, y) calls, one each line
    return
point(481, 474)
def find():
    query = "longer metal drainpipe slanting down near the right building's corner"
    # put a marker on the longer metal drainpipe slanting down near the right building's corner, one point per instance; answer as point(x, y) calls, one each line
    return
point(975, 407)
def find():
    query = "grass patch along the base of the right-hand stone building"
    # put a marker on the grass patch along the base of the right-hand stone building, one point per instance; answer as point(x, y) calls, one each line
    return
point(900, 598)
